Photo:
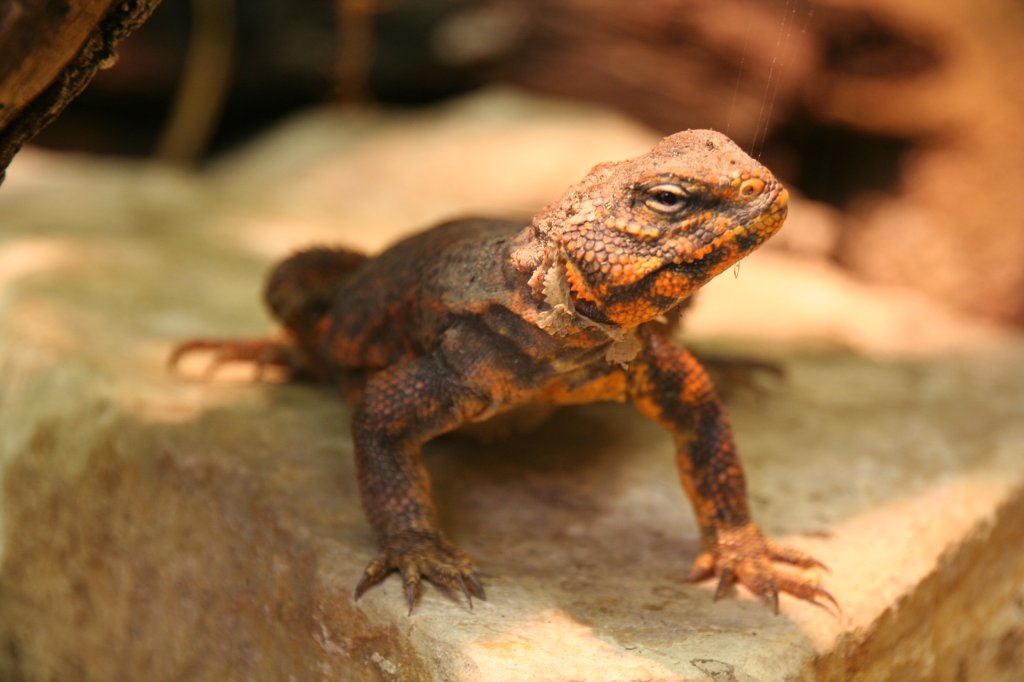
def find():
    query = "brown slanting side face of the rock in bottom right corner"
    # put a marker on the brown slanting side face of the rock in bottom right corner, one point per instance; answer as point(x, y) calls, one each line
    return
point(952, 620)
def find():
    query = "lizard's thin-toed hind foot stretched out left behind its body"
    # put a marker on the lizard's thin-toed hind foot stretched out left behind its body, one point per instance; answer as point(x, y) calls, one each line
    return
point(263, 354)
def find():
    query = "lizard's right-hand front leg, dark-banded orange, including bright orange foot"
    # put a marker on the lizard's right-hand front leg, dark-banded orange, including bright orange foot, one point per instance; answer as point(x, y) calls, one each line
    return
point(669, 386)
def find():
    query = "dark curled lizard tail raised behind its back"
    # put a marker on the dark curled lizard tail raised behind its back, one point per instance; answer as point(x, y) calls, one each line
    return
point(301, 290)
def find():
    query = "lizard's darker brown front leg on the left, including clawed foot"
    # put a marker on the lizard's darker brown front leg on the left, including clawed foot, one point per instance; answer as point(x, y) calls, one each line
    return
point(404, 407)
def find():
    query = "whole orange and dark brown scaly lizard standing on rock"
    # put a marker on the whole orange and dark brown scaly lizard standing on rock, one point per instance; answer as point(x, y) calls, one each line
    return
point(475, 317)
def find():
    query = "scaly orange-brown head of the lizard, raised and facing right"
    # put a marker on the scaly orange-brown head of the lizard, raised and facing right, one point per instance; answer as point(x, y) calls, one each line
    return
point(638, 237)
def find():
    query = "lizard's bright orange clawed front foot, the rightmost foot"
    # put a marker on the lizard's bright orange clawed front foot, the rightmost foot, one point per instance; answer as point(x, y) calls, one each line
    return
point(744, 556)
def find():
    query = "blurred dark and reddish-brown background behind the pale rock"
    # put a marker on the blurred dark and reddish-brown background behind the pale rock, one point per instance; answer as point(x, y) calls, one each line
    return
point(899, 121)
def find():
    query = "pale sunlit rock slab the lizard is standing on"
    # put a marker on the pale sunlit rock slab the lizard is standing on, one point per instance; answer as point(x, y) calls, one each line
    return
point(162, 529)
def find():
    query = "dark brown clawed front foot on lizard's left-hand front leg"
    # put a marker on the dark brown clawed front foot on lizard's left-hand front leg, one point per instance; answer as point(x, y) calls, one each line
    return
point(416, 555)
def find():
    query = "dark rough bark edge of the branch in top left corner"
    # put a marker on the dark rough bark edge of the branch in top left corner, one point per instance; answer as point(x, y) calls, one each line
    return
point(98, 50)
